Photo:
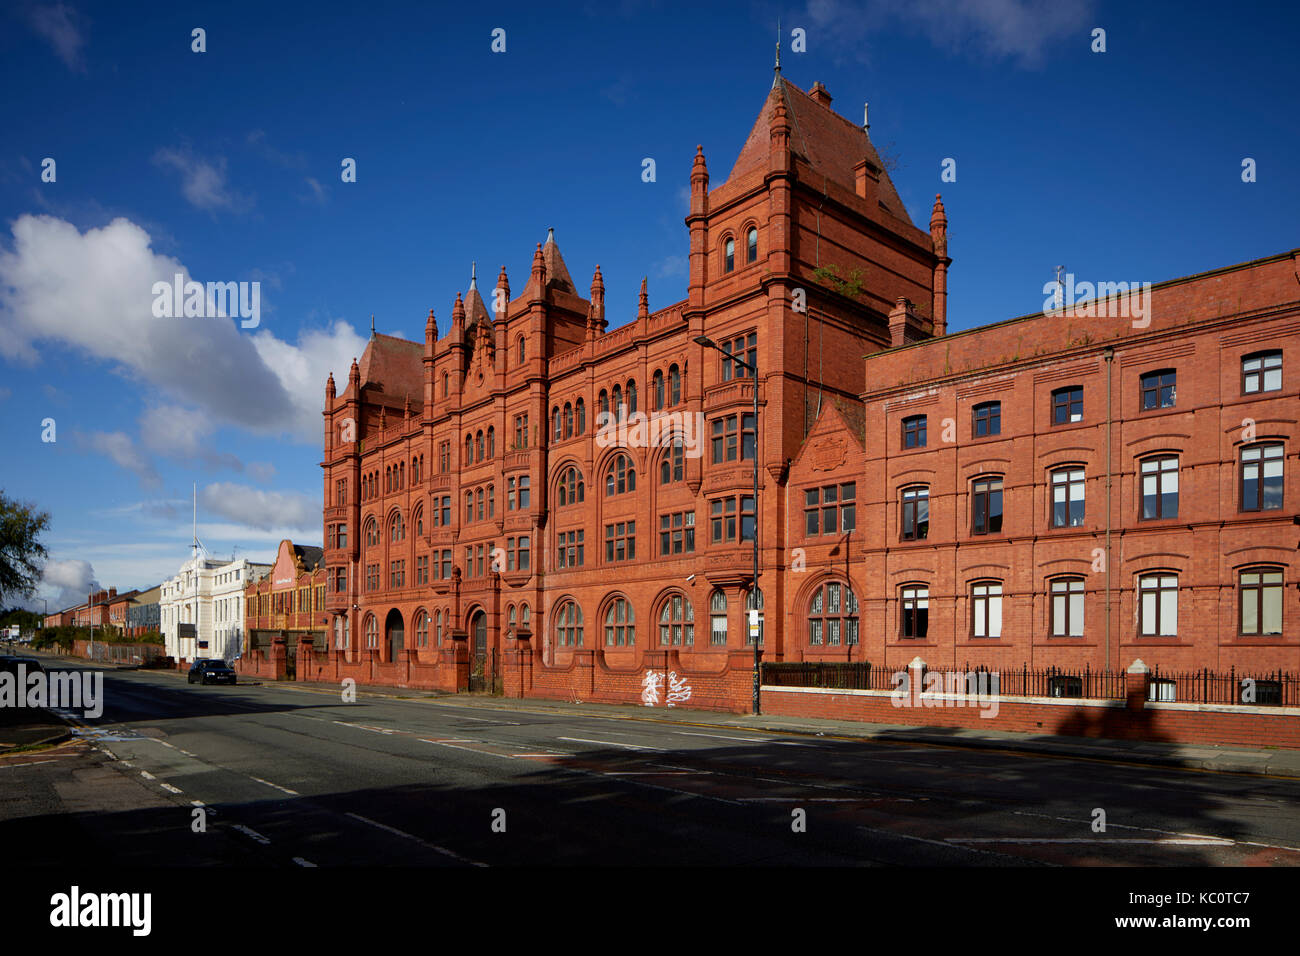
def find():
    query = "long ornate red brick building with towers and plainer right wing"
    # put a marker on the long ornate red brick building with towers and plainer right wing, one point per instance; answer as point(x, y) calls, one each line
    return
point(471, 492)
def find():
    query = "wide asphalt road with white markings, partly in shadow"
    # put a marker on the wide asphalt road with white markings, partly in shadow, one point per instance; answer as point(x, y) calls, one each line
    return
point(284, 776)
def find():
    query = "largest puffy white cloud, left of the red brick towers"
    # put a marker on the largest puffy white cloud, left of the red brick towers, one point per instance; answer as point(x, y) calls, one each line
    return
point(93, 292)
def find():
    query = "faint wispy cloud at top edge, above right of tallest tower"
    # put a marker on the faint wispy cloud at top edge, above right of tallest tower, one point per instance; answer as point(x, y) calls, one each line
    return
point(1020, 31)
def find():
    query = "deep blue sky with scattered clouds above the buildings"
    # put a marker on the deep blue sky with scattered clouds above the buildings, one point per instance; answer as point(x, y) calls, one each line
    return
point(1123, 166)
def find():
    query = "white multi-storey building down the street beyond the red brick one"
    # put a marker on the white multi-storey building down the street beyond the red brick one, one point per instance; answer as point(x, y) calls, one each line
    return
point(202, 609)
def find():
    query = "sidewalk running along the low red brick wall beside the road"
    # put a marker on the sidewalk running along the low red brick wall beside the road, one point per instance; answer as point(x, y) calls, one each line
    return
point(1277, 763)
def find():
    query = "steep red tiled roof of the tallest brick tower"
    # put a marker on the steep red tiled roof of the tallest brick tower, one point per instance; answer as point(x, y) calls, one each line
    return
point(827, 141)
